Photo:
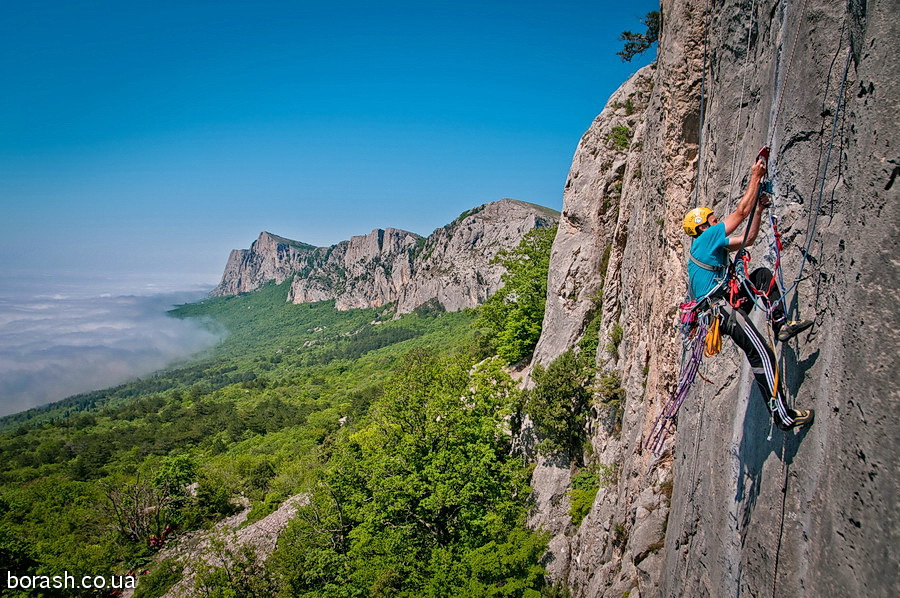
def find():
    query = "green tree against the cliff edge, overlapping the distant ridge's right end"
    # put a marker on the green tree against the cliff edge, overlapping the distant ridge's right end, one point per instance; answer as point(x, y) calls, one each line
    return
point(512, 317)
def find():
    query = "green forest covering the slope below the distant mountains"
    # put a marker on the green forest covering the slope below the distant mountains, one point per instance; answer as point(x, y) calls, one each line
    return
point(399, 431)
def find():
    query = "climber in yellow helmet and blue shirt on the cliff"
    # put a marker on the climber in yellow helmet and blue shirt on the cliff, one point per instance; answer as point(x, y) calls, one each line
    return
point(708, 270)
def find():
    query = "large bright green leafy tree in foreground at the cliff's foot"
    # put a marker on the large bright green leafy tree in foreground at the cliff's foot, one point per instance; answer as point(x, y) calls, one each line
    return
point(414, 503)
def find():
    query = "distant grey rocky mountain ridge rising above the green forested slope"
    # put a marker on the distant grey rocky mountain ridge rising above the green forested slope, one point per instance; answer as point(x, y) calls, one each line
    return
point(451, 268)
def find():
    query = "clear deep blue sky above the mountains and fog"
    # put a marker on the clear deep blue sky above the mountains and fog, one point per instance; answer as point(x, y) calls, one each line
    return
point(153, 137)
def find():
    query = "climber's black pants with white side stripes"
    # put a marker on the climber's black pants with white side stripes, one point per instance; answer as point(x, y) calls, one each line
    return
point(738, 326)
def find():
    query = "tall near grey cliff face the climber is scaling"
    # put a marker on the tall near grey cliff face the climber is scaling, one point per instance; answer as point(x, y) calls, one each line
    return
point(724, 511)
